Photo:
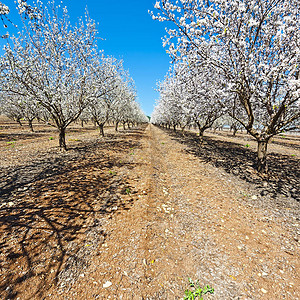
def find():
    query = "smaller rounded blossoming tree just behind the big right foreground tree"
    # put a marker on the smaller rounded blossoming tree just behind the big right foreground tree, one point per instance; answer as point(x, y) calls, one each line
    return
point(191, 94)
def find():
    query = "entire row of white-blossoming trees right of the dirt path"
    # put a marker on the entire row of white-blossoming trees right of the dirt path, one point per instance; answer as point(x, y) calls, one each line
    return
point(235, 62)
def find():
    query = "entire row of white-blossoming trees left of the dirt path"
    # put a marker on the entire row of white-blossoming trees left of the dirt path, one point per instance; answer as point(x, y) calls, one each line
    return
point(53, 71)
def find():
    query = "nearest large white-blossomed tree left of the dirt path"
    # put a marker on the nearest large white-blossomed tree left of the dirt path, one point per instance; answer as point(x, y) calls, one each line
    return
point(52, 62)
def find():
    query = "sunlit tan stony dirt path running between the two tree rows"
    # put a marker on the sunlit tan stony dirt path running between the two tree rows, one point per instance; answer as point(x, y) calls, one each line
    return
point(188, 219)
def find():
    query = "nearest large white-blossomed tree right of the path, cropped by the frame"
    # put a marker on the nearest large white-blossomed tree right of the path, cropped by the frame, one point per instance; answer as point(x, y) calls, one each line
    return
point(255, 46)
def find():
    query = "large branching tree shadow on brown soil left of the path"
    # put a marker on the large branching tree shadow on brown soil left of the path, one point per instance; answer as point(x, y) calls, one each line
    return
point(52, 210)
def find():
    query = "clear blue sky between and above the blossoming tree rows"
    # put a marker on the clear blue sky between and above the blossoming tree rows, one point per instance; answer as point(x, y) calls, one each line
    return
point(130, 34)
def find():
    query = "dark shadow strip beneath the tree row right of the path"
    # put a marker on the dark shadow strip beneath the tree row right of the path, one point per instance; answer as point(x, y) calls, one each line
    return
point(283, 176)
